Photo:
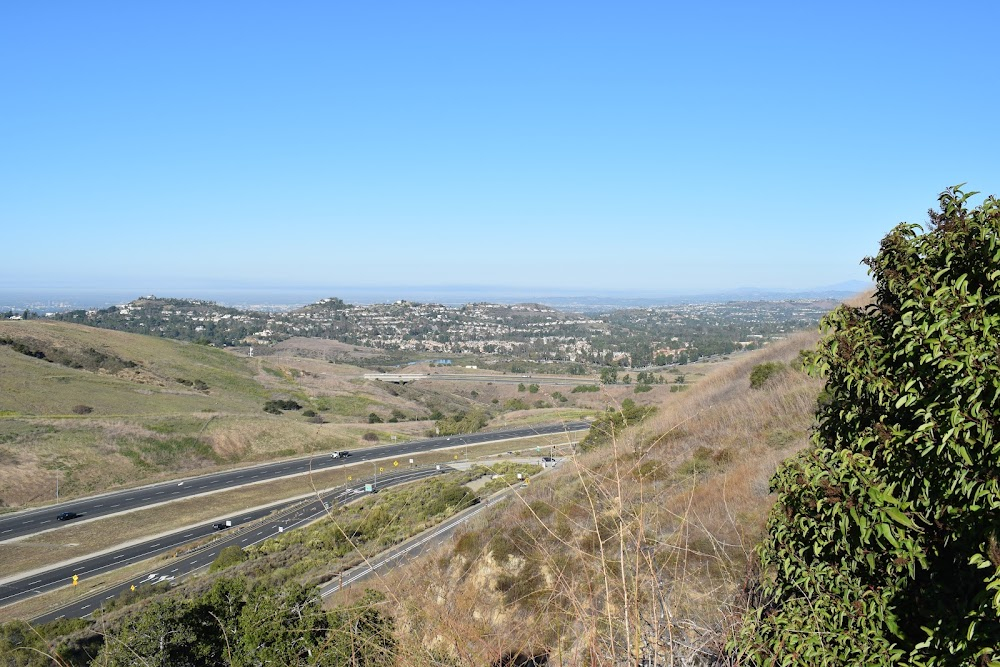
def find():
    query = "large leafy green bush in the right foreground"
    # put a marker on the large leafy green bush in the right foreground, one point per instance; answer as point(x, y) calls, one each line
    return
point(883, 545)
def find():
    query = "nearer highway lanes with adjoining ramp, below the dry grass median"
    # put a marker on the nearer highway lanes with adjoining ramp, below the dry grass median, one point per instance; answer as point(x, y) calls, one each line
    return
point(245, 532)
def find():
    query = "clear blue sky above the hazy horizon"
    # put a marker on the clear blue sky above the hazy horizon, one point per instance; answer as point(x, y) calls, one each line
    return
point(572, 146)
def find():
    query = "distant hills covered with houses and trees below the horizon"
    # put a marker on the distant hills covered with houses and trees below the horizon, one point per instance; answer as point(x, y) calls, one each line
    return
point(405, 330)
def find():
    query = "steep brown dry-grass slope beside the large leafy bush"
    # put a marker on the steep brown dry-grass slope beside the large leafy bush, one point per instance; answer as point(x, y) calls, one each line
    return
point(634, 553)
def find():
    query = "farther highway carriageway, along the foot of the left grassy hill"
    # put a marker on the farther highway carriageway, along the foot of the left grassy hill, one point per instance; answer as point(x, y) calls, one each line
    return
point(30, 522)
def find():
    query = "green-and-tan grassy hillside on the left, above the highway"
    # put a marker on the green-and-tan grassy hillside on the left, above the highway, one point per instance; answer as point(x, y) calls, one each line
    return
point(91, 409)
